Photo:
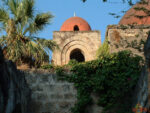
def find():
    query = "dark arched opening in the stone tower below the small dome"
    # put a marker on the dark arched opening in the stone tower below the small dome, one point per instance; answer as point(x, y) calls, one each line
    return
point(77, 55)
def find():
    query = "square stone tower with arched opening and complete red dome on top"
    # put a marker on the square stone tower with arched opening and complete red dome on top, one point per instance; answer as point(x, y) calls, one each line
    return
point(75, 40)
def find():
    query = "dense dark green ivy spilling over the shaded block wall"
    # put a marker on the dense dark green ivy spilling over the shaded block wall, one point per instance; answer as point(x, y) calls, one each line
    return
point(112, 77)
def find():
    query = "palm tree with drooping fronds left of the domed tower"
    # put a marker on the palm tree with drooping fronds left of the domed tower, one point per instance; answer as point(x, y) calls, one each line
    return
point(19, 21)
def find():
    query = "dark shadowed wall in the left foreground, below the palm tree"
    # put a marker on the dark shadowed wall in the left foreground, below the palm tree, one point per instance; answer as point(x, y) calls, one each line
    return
point(14, 92)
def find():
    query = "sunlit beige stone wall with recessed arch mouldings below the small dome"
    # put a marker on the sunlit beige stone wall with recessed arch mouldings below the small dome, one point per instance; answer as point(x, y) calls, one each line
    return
point(87, 41)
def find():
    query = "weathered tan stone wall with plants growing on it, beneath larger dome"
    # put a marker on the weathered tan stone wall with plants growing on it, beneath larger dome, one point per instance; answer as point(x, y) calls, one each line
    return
point(125, 37)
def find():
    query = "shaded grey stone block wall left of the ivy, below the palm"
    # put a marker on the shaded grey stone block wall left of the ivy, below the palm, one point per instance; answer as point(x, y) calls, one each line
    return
point(48, 94)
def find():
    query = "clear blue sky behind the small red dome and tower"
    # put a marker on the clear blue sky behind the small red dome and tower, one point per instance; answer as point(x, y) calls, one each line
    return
point(95, 12)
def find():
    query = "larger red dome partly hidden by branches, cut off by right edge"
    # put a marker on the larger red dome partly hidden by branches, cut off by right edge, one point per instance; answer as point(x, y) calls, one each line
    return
point(130, 16)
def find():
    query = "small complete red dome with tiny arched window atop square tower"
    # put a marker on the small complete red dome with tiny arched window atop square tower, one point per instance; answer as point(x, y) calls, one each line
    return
point(75, 24)
